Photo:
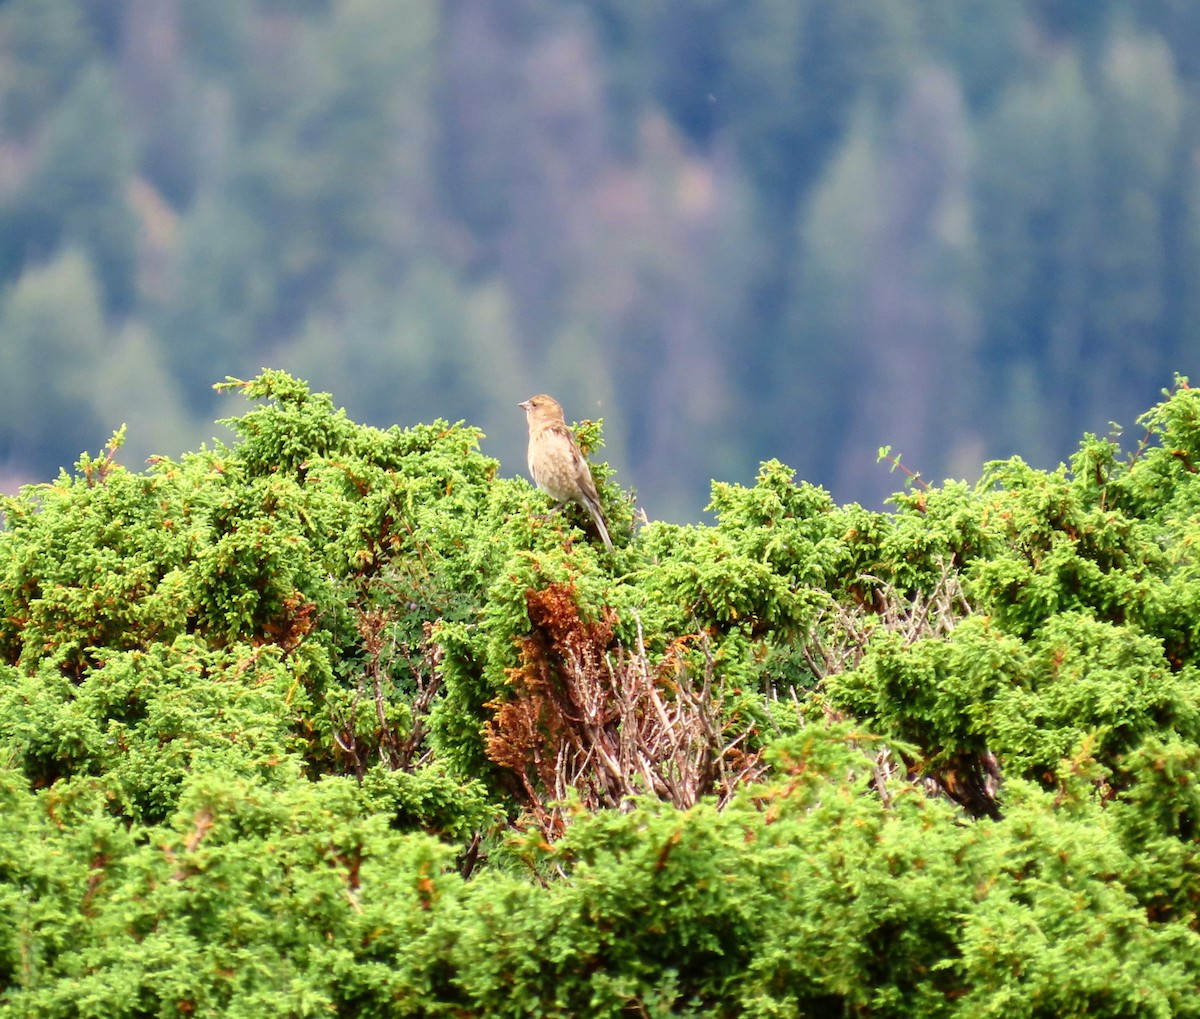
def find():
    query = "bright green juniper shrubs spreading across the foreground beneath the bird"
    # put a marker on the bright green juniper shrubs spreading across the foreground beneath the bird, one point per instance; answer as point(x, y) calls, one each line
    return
point(335, 721)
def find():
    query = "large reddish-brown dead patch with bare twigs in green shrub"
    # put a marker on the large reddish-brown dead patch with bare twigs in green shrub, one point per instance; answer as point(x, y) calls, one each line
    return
point(596, 718)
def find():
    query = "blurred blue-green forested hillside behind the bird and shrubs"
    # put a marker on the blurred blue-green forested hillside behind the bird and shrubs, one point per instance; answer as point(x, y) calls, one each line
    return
point(736, 230)
